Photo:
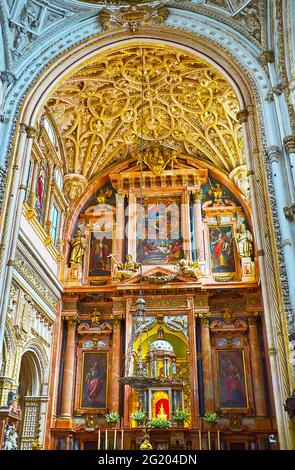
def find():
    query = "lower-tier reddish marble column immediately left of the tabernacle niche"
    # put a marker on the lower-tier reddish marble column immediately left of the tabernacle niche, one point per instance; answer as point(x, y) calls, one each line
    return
point(116, 359)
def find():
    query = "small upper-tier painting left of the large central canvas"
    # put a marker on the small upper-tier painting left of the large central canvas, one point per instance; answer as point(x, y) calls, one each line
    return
point(99, 253)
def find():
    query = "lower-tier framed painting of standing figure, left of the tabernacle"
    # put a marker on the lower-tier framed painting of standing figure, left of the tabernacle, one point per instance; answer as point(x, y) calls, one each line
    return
point(94, 380)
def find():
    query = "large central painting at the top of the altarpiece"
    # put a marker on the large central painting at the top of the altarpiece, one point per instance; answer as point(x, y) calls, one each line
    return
point(158, 237)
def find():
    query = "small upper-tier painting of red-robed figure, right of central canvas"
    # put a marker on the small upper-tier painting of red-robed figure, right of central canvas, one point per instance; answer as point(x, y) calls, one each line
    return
point(221, 249)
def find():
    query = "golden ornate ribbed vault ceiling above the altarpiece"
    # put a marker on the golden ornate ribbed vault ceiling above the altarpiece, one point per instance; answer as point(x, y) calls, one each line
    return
point(162, 94)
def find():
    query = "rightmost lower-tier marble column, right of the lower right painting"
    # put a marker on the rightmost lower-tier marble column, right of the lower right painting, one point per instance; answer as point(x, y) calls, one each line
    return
point(256, 365)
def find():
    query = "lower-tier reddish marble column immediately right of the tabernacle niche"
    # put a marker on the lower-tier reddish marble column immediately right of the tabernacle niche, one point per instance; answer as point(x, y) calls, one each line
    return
point(207, 364)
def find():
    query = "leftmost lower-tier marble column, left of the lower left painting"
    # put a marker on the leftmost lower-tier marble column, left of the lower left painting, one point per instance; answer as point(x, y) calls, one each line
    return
point(69, 369)
